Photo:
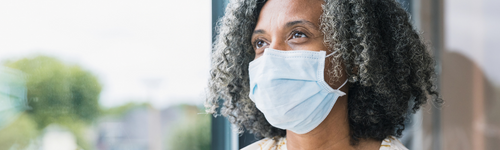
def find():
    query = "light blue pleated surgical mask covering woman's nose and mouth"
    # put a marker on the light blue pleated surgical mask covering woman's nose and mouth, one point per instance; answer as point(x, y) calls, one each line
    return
point(288, 87)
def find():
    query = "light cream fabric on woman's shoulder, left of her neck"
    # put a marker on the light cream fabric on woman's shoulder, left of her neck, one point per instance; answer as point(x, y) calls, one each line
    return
point(267, 144)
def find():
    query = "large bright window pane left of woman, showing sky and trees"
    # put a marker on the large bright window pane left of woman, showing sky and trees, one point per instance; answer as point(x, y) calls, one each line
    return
point(104, 74)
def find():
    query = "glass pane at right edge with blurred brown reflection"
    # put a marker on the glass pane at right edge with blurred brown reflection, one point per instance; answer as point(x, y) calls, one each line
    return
point(471, 75)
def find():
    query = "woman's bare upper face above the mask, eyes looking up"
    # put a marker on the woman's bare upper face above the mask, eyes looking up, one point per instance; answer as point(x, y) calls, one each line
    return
point(289, 25)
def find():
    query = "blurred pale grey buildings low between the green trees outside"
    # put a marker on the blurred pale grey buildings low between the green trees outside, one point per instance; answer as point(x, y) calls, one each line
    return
point(140, 128)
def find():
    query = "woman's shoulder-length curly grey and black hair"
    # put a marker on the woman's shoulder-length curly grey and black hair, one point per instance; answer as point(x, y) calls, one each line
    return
point(388, 65)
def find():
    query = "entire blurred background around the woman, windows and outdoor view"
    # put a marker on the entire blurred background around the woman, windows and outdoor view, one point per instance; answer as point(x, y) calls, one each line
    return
point(131, 75)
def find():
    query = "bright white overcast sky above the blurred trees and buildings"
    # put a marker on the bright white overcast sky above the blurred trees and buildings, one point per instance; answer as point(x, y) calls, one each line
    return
point(145, 51)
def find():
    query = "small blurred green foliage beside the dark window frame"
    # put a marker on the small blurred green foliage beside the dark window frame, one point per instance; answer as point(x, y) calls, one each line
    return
point(193, 132)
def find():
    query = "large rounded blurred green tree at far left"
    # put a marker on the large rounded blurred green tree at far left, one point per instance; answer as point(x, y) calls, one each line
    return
point(59, 93)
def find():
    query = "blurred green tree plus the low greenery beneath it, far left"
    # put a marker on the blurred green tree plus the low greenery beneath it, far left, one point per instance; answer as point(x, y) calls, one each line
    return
point(57, 94)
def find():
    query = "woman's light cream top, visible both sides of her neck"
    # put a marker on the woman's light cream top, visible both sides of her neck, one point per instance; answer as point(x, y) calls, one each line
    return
point(389, 143)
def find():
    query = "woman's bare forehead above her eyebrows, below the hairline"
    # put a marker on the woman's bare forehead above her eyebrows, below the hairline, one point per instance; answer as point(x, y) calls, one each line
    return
point(279, 12)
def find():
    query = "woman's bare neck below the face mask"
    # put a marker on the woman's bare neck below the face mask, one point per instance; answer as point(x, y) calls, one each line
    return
point(332, 133)
